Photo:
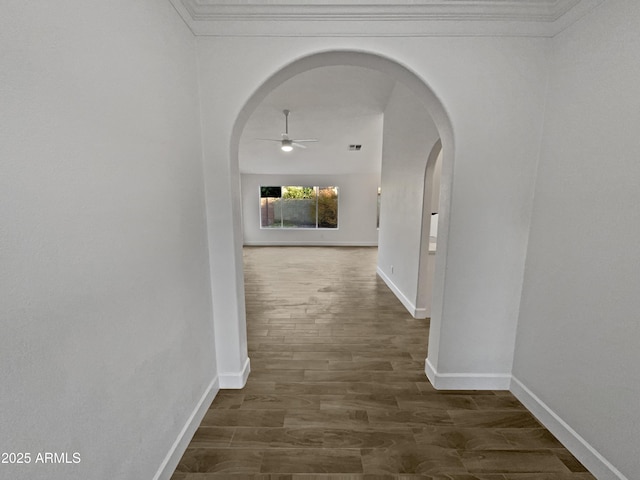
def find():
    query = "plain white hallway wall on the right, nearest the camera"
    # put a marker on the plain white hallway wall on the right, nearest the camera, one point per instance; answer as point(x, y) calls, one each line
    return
point(578, 336)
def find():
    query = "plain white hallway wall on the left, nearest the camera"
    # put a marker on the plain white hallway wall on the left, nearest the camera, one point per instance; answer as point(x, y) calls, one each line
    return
point(107, 343)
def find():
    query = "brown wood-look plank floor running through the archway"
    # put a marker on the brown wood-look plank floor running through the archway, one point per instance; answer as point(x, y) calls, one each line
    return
point(338, 390)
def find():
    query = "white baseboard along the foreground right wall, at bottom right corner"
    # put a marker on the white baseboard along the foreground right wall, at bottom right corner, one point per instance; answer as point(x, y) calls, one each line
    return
point(599, 466)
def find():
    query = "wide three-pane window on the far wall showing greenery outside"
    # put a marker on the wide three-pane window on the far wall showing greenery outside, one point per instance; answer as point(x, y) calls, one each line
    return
point(298, 207)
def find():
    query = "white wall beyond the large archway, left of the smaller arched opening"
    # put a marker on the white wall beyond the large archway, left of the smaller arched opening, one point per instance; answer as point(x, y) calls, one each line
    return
point(409, 137)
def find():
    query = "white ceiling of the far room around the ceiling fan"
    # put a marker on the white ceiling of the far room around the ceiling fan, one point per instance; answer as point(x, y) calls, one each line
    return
point(338, 105)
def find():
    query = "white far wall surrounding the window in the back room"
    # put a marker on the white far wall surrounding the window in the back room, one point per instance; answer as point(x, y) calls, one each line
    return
point(357, 211)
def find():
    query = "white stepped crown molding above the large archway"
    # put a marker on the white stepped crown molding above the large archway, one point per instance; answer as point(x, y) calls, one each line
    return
point(377, 18)
